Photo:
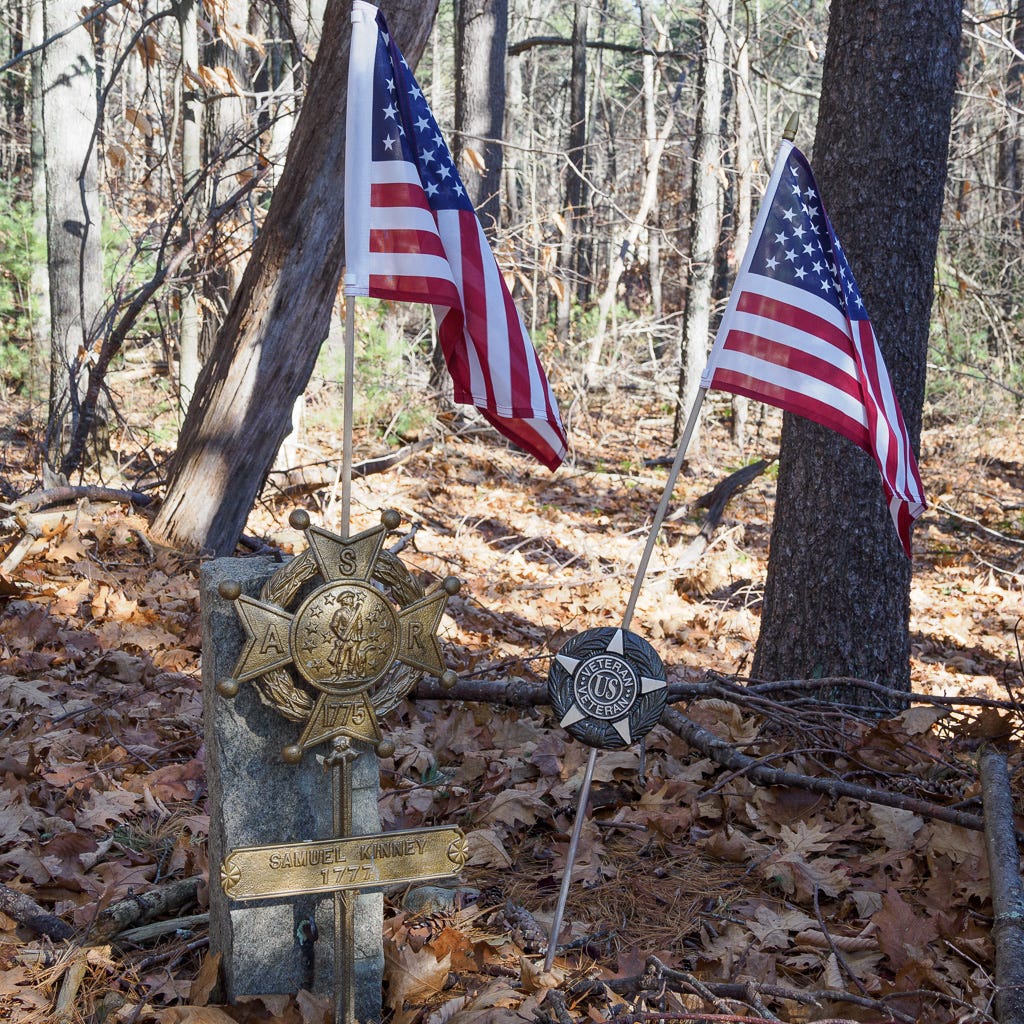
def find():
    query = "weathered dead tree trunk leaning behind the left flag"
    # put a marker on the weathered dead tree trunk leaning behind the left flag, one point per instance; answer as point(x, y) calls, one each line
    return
point(267, 350)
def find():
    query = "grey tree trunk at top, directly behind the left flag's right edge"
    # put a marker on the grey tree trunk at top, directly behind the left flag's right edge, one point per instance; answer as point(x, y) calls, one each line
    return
point(482, 34)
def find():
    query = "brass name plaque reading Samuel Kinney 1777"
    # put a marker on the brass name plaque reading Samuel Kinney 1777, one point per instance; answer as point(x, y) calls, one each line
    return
point(330, 866)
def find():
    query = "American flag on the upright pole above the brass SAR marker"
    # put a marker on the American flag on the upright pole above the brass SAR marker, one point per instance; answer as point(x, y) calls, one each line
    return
point(412, 236)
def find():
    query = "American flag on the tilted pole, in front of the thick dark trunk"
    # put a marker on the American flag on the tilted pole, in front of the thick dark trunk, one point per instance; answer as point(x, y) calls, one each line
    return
point(796, 335)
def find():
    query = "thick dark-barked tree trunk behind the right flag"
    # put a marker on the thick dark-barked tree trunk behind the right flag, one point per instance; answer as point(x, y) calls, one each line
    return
point(837, 596)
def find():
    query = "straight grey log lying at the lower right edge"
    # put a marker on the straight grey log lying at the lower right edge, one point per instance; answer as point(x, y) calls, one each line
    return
point(1008, 893)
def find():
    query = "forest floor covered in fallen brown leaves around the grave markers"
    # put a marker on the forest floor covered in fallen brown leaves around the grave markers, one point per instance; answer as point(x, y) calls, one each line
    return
point(701, 892)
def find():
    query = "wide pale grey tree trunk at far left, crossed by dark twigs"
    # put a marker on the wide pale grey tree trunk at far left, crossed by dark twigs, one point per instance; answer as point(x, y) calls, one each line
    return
point(69, 89)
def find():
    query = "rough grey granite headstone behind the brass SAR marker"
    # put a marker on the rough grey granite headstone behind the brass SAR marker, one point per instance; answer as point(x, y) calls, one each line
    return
point(255, 799)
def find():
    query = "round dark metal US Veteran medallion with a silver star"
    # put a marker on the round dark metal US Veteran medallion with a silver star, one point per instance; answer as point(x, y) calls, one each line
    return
point(608, 688)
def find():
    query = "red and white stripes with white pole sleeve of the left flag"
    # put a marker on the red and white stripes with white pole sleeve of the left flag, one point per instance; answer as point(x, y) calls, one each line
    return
point(401, 249)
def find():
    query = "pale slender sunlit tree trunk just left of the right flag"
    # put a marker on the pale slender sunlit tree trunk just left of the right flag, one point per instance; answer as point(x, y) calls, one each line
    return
point(705, 209)
